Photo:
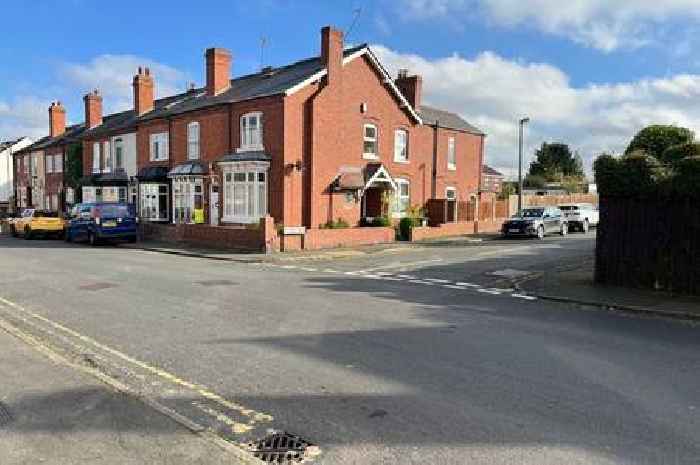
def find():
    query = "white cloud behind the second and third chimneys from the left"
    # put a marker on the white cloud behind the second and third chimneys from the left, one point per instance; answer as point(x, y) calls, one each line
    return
point(113, 74)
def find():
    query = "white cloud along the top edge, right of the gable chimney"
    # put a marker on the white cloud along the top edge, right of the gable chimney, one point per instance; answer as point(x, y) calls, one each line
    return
point(603, 24)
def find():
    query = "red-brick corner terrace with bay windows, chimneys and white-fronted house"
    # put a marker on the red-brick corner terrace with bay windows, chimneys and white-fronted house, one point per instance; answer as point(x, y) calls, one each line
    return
point(329, 138)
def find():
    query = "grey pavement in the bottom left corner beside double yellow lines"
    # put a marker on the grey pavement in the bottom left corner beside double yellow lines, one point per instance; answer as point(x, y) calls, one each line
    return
point(53, 413)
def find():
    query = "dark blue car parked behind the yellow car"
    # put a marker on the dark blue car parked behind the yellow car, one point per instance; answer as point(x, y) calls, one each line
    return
point(100, 222)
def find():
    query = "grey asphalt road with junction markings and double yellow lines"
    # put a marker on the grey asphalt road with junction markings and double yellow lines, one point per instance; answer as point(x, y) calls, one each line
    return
point(406, 356)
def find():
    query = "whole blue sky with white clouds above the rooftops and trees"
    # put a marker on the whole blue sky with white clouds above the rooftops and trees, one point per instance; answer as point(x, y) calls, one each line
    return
point(589, 73)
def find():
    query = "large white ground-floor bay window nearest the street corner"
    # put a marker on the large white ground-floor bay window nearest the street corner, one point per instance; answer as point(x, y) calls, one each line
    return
point(251, 183)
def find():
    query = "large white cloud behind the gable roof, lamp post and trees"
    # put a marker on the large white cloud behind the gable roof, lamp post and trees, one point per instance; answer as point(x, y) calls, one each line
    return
point(493, 93)
